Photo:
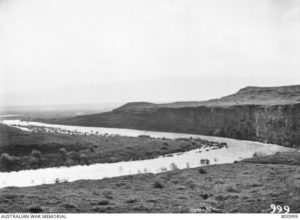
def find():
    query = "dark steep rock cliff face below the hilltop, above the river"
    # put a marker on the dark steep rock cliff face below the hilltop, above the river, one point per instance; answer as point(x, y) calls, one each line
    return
point(277, 124)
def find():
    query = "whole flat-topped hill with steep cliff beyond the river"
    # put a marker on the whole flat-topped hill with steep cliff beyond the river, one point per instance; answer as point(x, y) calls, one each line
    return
point(269, 115)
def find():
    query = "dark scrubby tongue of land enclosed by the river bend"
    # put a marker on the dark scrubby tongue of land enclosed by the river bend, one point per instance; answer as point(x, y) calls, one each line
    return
point(96, 149)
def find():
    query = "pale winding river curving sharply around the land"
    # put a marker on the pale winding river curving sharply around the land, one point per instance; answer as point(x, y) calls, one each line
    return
point(237, 150)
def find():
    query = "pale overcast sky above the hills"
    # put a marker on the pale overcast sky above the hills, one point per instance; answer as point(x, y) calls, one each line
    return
point(45, 44)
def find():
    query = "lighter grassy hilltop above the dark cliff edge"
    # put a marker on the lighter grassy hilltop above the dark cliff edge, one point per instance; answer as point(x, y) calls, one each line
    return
point(247, 96)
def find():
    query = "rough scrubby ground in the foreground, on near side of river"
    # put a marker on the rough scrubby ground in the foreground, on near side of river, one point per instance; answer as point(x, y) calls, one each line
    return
point(249, 186)
